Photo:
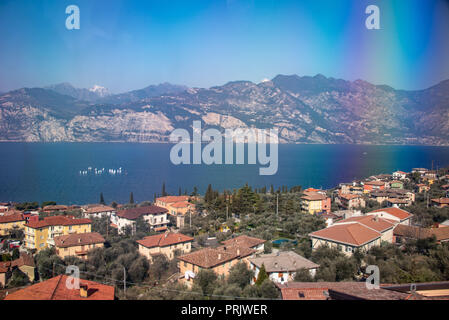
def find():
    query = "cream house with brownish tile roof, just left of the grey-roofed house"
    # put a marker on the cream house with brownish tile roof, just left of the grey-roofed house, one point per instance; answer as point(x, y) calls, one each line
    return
point(220, 260)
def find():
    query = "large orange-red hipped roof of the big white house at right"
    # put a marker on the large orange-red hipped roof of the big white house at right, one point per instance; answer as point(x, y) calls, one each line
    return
point(354, 234)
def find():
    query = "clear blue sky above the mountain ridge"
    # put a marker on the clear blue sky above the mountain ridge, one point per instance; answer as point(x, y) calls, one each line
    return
point(126, 45)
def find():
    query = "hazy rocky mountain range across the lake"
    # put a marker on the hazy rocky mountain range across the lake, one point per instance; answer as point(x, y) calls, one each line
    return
point(304, 109)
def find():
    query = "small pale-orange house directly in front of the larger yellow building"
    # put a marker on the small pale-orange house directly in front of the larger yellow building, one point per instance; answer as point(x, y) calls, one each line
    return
point(78, 244)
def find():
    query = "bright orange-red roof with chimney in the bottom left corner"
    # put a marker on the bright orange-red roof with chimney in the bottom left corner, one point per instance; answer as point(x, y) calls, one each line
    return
point(56, 289)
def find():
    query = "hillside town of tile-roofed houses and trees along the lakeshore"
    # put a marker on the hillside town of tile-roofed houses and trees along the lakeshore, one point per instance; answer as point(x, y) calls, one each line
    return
point(248, 243)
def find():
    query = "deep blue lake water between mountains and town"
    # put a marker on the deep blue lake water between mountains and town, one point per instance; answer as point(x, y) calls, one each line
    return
point(51, 171)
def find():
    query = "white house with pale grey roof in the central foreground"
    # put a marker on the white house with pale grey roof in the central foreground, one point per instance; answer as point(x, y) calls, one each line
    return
point(281, 267)
